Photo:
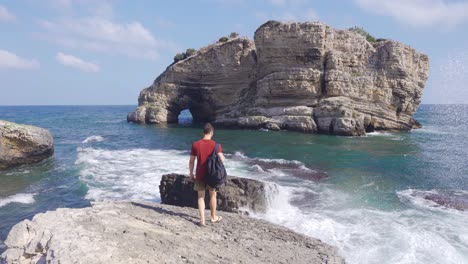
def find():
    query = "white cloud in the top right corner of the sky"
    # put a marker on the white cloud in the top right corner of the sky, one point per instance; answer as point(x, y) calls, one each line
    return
point(421, 13)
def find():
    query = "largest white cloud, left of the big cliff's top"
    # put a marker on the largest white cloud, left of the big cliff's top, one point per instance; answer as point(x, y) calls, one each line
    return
point(104, 35)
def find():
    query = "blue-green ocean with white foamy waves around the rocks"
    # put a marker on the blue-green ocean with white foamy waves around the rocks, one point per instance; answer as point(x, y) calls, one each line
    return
point(370, 205)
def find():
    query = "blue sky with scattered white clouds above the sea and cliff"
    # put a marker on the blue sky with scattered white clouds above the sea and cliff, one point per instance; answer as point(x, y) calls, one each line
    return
point(61, 52)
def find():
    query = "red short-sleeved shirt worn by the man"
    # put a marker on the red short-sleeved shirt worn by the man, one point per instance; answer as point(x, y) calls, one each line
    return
point(202, 149)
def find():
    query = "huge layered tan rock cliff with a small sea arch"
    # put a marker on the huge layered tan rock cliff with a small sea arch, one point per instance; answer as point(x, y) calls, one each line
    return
point(305, 77)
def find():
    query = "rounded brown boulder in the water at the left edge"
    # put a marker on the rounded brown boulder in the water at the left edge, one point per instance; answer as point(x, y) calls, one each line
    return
point(23, 144)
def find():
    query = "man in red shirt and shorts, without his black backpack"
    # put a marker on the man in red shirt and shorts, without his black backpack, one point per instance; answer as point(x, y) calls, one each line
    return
point(201, 150)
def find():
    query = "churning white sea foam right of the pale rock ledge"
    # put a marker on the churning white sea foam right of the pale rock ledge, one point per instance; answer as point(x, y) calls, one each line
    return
point(366, 235)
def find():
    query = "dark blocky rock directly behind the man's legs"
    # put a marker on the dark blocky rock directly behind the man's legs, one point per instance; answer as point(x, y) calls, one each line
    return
point(177, 189)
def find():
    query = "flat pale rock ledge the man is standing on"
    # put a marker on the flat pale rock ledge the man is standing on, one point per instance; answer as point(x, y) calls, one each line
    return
point(141, 232)
